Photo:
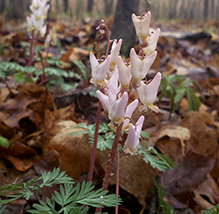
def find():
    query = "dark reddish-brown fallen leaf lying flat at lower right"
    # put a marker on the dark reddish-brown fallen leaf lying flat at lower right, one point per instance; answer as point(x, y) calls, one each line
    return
point(189, 174)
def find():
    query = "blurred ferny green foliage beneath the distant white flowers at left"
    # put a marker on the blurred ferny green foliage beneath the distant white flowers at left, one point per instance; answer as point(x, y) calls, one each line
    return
point(55, 75)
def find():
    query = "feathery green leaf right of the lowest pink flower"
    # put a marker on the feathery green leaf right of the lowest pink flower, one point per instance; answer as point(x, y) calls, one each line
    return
point(156, 160)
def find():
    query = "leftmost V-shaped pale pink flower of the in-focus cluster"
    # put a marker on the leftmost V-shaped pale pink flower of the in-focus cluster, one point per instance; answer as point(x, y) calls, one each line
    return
point(98, 70)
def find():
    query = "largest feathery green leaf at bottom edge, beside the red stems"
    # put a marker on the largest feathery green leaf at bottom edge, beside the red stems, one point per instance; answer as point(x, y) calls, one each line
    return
point(71, 198)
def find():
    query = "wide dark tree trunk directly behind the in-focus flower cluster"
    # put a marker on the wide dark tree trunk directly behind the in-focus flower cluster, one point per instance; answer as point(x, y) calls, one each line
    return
point(123, 27)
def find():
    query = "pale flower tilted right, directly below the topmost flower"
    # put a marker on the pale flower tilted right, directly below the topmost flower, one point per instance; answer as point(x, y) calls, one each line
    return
point(152, 42)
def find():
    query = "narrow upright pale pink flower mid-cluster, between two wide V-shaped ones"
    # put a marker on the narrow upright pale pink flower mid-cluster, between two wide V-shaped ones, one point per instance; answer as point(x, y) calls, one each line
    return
point(124, 73)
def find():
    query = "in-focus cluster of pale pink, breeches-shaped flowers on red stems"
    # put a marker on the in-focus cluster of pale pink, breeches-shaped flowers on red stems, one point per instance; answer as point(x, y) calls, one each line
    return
point(116, 80)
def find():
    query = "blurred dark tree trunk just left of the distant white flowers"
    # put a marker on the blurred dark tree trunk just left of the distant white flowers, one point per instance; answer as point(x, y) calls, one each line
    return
point(16, 9)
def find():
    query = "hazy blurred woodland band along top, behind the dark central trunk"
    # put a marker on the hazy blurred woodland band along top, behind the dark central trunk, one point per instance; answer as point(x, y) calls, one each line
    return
point(197, 10)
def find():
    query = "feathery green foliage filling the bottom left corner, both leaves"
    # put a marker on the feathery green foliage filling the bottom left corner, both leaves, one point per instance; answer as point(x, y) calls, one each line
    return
point(69, 200)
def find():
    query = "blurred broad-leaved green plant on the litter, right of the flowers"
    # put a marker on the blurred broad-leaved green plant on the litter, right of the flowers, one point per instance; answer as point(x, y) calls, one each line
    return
point(175, 87)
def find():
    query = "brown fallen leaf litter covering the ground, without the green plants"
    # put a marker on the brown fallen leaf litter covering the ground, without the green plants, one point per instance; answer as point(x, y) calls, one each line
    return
point(37, 123)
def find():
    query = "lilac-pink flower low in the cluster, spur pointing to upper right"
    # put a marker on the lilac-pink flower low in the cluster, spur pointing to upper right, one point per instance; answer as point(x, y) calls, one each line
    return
point(117, 109)
